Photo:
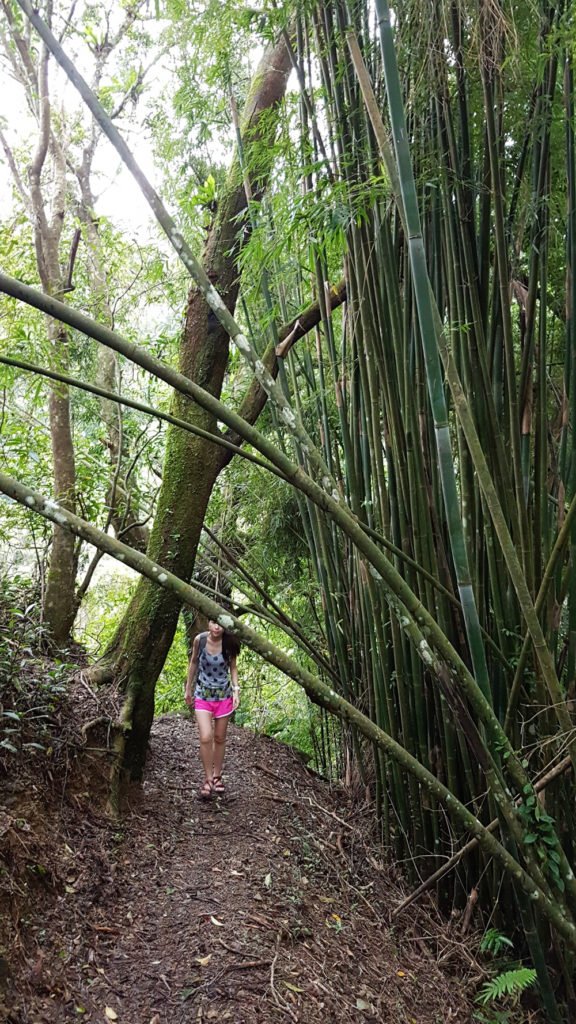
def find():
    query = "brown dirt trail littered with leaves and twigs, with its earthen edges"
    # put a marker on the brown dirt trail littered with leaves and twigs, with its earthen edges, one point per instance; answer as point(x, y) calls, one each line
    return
point(265, 906)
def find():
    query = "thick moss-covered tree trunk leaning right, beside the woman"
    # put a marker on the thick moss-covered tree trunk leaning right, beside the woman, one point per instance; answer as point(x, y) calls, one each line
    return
point(192, 465)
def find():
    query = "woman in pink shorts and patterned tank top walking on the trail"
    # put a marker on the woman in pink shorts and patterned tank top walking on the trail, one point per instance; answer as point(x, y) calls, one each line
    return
point(217, 696)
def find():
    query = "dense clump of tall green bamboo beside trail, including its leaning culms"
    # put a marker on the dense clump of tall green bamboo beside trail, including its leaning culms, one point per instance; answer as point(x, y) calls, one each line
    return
point(434, 172)
